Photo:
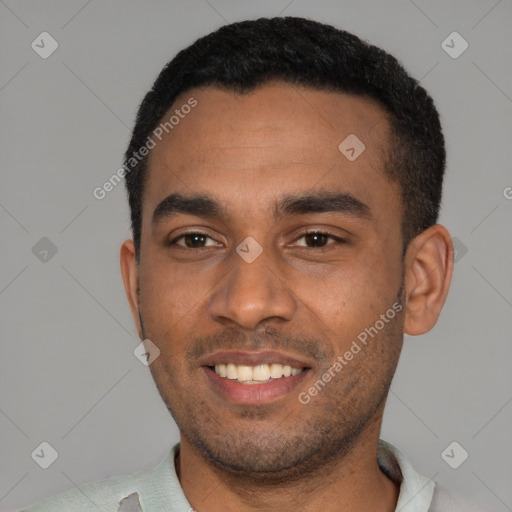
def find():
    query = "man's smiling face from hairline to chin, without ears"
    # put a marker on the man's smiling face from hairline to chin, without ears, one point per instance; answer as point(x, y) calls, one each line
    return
point(301, 302)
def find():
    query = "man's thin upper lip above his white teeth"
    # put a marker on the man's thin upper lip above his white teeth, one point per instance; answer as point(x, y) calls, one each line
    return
point(247, 358)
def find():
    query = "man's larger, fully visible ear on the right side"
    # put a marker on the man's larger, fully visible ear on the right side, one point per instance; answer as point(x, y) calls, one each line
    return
point(428, 274)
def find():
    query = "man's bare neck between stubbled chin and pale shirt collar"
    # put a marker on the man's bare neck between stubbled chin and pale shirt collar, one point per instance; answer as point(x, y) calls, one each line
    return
point(352, 482)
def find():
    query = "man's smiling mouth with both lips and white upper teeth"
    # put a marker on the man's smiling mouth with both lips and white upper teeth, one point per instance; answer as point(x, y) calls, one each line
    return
point(250, 378)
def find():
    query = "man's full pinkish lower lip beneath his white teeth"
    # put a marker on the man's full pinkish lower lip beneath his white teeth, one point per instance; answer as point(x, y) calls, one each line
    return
point(238, 393)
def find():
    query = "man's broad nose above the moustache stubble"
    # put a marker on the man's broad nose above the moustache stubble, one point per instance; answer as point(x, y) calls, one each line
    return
point(252, 294)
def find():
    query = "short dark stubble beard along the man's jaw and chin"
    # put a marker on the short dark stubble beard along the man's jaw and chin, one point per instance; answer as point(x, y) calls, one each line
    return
point(333, 422)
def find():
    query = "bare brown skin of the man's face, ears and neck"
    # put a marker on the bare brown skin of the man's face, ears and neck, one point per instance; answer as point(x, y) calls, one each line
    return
point(311, 302)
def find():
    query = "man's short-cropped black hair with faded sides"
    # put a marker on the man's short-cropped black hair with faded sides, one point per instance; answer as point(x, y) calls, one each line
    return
point(245, 55)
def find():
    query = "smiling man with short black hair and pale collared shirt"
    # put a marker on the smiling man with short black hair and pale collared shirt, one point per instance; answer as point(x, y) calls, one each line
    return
point(284, 180)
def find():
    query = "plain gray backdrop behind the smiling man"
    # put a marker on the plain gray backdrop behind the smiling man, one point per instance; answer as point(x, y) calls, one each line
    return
point(69, 376)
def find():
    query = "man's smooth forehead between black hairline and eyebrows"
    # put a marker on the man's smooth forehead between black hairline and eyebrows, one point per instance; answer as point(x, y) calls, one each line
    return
point(279, 137)
